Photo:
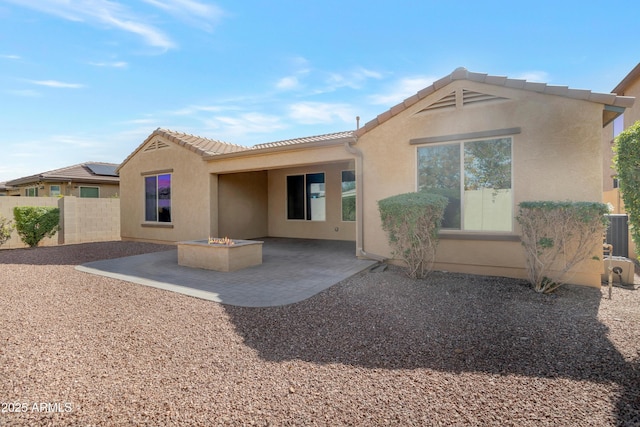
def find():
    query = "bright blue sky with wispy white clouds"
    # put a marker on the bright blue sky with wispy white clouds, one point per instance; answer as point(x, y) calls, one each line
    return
point(89, 80)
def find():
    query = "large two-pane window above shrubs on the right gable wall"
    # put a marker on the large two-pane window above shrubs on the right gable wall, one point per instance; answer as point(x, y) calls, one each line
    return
point(476, 178)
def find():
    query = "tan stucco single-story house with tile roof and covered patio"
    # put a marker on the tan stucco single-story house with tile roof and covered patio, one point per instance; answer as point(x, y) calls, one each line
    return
point(545, 143)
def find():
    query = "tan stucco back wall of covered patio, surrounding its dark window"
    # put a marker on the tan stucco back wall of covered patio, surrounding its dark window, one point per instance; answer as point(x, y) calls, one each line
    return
point(332, 228)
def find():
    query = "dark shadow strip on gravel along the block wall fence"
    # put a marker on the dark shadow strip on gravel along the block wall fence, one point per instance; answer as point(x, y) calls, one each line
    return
point(78, 254)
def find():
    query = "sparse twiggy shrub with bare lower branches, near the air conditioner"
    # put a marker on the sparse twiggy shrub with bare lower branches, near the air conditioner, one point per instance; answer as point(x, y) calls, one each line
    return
point(558, 236)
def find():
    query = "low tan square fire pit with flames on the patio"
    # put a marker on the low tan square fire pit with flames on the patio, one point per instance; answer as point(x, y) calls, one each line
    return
point(220, 254)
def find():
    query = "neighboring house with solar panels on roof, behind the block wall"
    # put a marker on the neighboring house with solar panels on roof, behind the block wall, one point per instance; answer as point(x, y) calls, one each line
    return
point(90, 179)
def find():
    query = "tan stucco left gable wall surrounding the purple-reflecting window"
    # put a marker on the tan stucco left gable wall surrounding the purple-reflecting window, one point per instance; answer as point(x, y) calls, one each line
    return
point(190, 189)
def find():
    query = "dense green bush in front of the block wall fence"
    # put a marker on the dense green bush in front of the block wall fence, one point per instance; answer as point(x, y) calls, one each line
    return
point(34, 223)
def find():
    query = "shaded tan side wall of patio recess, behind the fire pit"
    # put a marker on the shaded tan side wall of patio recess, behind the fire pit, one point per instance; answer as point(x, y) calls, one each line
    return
point(242, 201)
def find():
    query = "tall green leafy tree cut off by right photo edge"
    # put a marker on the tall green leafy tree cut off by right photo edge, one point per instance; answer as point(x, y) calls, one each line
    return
point(627, 163)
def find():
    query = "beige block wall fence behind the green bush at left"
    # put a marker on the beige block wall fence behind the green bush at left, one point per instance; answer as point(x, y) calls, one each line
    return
point(82, 220)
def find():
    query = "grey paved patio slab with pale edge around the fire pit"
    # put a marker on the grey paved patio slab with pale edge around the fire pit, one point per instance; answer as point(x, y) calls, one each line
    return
point(292, 270)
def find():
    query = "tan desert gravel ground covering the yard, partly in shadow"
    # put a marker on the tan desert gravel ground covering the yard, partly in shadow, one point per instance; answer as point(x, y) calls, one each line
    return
point(377, 349)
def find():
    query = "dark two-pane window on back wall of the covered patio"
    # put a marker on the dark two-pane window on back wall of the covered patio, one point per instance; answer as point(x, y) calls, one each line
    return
point(305, 197)
